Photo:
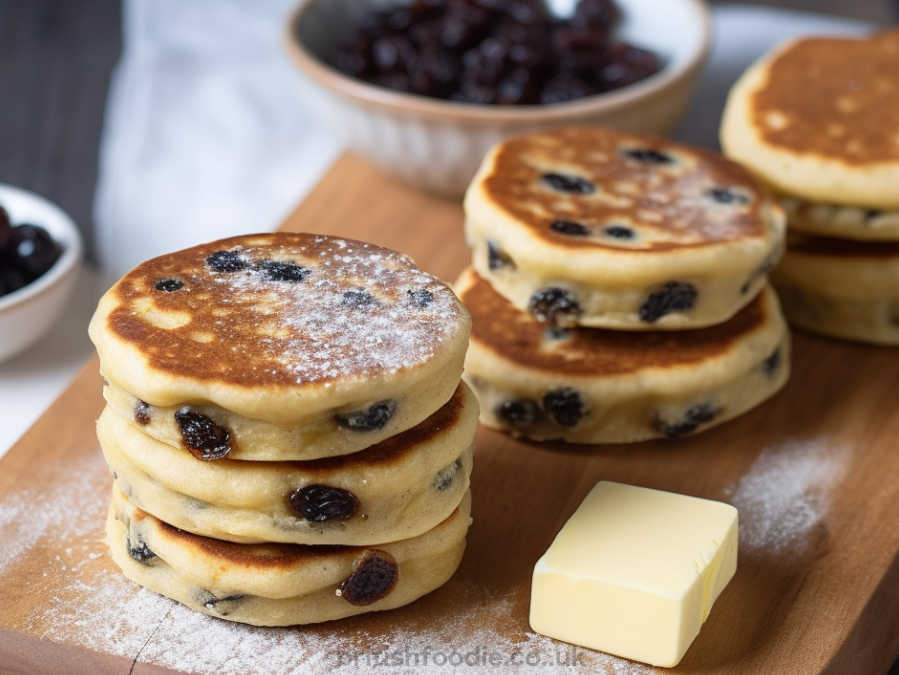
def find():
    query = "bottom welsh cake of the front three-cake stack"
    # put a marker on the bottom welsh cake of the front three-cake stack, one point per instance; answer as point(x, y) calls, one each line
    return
point(281, 584)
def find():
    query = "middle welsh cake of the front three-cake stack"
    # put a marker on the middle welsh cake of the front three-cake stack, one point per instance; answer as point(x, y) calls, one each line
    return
point(399, 488)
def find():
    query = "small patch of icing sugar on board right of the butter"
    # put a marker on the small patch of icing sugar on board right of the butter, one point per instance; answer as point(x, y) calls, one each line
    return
point(784, 496)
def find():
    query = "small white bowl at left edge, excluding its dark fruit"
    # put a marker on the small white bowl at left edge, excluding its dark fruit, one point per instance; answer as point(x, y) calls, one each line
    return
point(28, 313)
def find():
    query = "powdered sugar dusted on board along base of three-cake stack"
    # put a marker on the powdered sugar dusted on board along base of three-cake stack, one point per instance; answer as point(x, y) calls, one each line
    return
point(118, 617)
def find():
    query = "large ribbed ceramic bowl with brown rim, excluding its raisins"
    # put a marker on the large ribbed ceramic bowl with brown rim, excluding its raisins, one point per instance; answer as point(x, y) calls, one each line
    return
point(437, 144)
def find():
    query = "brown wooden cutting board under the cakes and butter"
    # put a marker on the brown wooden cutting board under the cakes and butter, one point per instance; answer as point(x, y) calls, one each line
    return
point(813, 473)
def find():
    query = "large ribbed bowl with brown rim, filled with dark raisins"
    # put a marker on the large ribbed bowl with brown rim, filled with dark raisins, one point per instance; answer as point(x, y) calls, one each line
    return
point(423, 88)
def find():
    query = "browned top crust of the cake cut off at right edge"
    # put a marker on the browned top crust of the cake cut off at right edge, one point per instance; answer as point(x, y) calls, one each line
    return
point(839, 98)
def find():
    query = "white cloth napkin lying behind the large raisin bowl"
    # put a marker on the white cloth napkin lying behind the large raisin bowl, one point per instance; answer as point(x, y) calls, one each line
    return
point(206, 134)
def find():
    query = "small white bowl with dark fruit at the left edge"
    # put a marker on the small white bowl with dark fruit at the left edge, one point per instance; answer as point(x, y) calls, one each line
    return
point(40, 254)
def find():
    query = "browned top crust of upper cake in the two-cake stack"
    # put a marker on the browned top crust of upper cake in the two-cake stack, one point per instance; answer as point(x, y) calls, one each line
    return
point(668, 200)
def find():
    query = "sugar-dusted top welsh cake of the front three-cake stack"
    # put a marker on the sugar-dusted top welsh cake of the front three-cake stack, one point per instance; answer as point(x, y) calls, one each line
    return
point(279, 346)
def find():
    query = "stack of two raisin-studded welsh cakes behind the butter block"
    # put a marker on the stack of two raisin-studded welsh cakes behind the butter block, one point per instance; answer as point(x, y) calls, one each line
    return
point(619, 288)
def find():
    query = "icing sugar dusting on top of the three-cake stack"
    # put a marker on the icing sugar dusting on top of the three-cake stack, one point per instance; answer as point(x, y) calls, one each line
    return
point(328, 337)
